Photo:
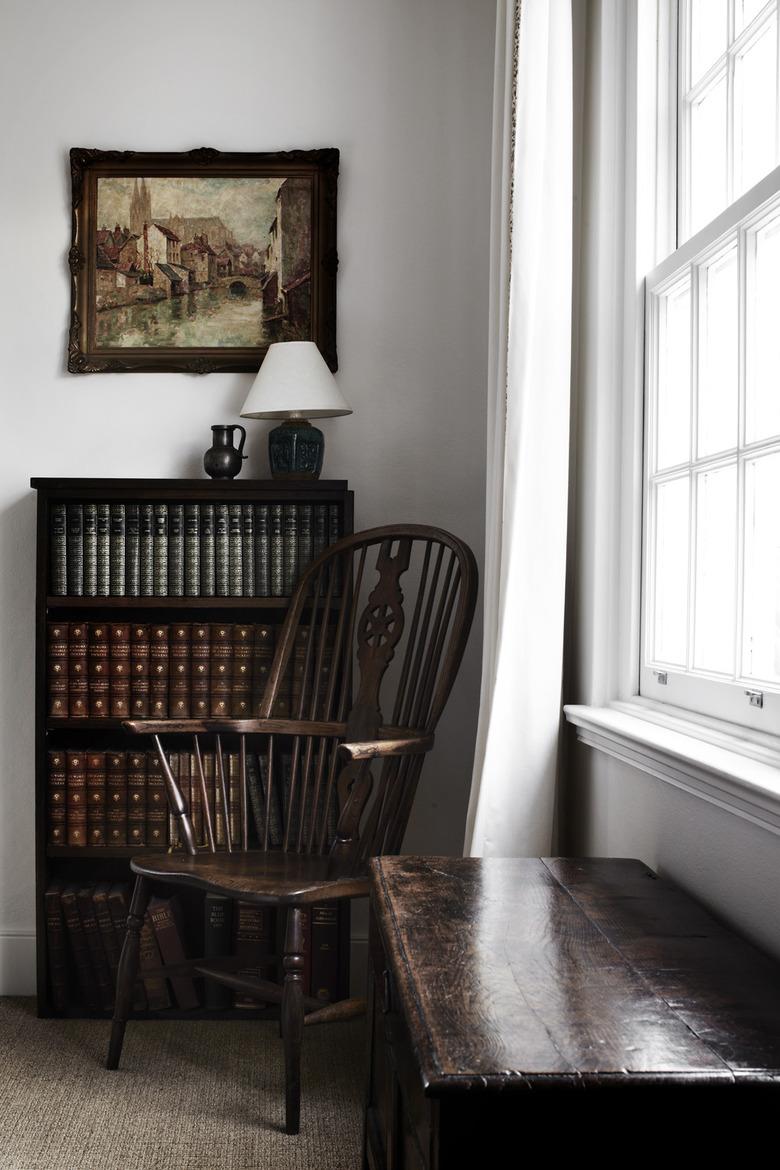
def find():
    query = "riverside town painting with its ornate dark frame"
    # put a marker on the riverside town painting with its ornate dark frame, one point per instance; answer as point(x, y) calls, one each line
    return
point(198, 261)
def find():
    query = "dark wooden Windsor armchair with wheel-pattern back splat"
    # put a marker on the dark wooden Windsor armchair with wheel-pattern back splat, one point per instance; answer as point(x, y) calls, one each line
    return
point(379, 622)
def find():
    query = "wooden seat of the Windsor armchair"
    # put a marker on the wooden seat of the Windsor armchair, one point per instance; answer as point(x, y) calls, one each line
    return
point(273, 878)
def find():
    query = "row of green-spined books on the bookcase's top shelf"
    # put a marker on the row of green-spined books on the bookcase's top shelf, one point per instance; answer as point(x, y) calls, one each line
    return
point(187, 550)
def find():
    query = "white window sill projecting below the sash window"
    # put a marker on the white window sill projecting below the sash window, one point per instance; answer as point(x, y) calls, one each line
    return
point(719, 767)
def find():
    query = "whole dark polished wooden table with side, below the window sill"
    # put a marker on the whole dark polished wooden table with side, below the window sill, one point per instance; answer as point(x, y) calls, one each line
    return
point(560, 994)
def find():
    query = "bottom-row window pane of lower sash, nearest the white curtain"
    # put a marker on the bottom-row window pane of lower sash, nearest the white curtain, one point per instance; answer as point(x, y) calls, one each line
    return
point(671, 594)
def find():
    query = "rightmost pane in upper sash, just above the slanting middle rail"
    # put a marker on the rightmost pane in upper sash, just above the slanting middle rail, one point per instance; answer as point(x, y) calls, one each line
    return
point(755, 109)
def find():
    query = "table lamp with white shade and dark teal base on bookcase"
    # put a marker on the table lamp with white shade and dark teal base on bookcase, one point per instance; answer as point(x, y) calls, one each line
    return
point(295, 384)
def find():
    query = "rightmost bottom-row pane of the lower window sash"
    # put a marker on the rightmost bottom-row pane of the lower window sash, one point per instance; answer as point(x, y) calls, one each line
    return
point(762, 603)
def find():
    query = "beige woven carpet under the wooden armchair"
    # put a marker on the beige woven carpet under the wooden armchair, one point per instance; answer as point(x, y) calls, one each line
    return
point(189, 1096)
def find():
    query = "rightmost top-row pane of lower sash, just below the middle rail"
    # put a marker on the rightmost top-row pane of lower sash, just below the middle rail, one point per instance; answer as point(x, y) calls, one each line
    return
point(763, 405)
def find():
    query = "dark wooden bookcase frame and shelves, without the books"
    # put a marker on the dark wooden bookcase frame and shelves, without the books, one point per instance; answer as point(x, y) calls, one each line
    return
point(93, 864)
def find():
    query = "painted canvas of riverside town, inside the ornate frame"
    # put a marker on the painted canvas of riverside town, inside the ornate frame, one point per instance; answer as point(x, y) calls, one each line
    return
point(203, 263)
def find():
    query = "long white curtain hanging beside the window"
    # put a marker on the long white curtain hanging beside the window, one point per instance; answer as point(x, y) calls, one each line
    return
point(514, 789)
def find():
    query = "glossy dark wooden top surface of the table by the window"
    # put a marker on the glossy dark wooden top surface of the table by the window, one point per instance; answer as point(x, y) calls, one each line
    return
point(539, 972)
